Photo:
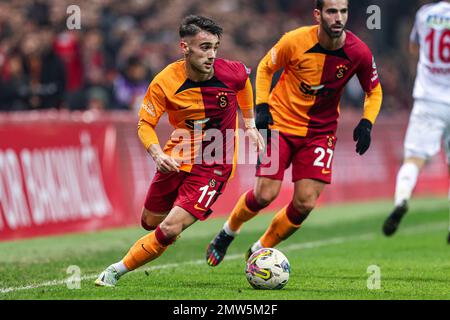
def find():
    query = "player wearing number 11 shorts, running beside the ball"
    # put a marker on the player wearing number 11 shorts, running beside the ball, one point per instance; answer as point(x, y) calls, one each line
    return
point(199, 93)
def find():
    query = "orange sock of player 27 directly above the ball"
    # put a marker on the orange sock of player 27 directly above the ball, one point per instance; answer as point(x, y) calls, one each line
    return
point(280, 229)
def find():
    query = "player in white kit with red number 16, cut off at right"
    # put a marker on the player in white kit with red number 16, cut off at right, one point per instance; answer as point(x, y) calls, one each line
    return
point(429, 122)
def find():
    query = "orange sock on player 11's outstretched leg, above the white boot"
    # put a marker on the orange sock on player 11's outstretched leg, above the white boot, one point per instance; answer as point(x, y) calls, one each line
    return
point(146, 249)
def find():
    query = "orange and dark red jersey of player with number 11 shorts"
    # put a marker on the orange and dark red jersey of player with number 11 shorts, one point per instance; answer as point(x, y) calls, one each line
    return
point(194, 107)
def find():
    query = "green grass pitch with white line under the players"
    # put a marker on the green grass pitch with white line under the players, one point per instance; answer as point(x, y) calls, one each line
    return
point(329, 258)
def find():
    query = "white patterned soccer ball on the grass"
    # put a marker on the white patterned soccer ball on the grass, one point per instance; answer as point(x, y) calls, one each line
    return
point(267, 268)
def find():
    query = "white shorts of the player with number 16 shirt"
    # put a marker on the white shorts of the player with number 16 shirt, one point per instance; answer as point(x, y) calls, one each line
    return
point(429, 124)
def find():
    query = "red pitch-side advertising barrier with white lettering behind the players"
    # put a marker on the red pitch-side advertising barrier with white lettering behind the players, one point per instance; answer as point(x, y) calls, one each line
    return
point(70, 171)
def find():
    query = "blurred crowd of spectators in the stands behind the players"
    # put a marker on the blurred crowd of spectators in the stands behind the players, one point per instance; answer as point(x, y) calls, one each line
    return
point(108, 63)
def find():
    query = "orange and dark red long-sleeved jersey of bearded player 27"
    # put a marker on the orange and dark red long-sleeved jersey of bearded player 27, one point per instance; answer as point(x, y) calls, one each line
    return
point(307, 96)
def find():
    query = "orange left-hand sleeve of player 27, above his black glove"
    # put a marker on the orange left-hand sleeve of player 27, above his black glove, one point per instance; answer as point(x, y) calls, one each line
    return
point(278, 57)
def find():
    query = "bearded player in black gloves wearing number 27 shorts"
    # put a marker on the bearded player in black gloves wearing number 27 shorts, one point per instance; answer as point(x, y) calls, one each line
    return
point(303, 108)
